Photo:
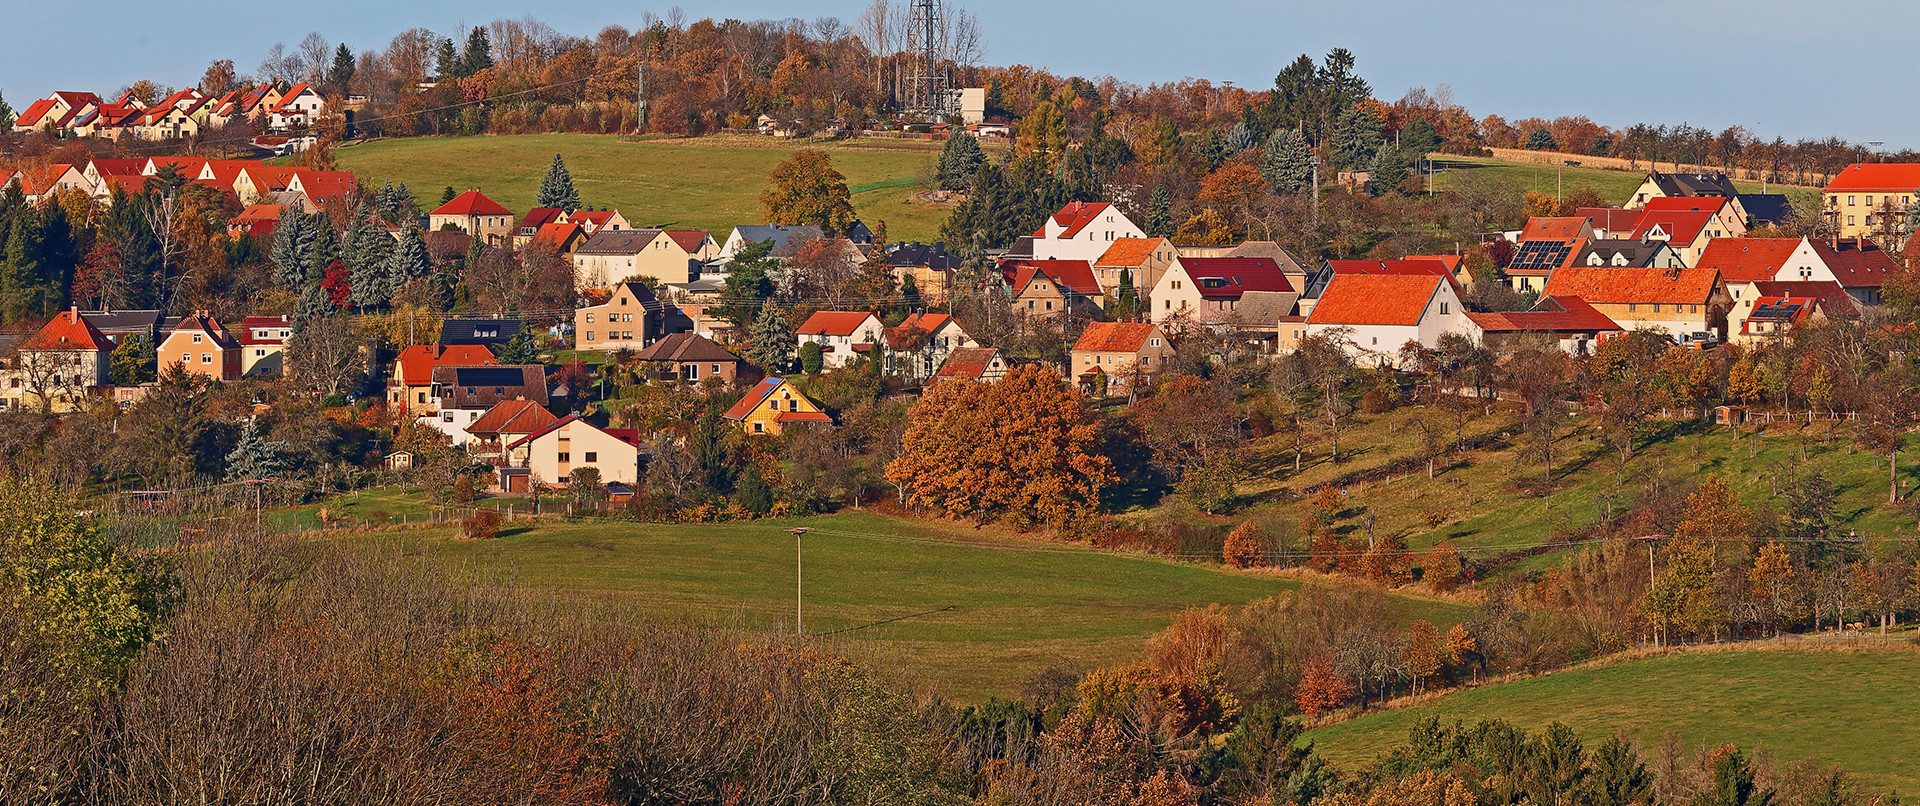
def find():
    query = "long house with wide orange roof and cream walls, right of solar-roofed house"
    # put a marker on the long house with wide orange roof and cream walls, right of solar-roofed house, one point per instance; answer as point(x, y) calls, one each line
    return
point(1687, 304)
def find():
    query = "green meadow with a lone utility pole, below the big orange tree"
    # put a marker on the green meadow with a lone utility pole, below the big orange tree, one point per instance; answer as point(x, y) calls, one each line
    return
point(980, 611)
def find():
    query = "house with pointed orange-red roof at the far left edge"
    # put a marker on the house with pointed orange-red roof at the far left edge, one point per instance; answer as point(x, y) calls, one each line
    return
point(59, 366)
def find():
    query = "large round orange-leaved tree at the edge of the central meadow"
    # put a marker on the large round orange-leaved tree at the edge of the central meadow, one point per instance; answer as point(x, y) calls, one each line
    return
point(1020, 452)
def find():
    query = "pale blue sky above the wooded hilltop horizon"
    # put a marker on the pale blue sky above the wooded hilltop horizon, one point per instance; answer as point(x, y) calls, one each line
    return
point(1781, 68)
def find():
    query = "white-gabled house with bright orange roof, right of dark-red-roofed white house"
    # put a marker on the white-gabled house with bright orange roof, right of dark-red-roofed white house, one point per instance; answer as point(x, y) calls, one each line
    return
point(1381, 314)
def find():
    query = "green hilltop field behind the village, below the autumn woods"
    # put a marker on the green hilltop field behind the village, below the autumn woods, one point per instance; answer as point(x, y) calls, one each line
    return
point(706, 183)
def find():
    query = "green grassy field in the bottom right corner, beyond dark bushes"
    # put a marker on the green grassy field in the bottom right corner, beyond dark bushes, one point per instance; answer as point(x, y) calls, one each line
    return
point(1842, 707)
